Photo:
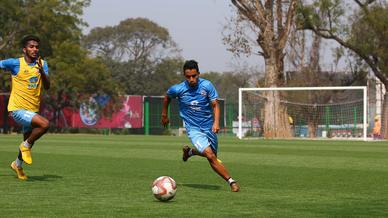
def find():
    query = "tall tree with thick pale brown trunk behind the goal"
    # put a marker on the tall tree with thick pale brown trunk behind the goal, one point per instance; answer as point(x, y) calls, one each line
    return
point(270, 22)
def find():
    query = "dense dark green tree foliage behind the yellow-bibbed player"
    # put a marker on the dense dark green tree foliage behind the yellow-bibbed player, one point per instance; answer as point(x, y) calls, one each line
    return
point(74, 75)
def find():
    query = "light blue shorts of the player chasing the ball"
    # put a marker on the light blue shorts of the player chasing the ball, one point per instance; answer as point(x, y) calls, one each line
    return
point(201, 139)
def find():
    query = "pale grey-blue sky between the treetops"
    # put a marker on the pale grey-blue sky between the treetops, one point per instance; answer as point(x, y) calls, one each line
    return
point(195, 25)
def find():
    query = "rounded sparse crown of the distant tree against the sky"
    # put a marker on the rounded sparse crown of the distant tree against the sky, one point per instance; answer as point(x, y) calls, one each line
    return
point(137, 39)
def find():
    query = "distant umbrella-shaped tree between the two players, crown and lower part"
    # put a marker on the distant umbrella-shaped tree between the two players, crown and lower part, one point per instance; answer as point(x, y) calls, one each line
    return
point(133, 50)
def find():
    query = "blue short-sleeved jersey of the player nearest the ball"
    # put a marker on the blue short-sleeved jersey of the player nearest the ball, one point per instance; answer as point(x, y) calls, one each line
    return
point(195, 103)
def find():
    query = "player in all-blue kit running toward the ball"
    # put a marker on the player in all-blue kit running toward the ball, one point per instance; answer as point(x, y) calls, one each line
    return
point(200, 112)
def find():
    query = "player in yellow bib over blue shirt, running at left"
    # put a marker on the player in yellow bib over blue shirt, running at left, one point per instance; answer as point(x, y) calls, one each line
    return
point(29, 74)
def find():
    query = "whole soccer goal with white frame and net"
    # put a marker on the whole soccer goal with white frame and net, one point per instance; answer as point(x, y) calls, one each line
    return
point(322, 112)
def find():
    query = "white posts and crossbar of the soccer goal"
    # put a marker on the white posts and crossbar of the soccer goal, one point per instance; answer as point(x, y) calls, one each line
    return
point(363, 88)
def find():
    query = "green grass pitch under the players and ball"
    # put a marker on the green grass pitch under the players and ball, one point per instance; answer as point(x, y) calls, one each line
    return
point(110, 176)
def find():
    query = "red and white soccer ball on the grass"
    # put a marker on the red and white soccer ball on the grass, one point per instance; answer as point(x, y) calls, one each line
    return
point(164, 188)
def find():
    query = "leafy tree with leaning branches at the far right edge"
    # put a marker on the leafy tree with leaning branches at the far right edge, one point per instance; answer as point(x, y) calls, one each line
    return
point(365, 35)
